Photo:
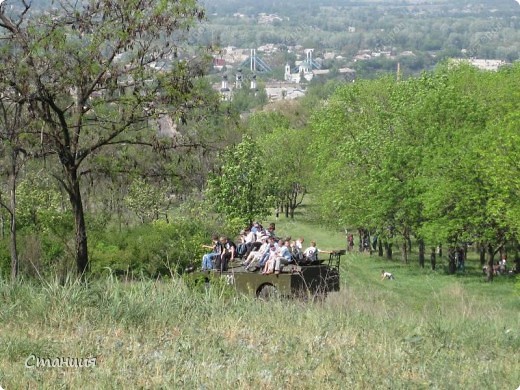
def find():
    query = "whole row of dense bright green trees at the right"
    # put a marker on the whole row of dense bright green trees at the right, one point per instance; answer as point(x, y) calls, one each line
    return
point(435, 157)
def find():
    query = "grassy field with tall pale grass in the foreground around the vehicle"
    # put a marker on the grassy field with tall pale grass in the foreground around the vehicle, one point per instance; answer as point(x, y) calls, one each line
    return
point(423, 330)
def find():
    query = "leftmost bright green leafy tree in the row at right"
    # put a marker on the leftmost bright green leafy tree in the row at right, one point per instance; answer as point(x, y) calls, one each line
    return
point(351, 134)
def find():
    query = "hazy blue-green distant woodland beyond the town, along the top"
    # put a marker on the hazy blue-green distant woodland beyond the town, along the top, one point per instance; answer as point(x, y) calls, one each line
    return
point(433, 31)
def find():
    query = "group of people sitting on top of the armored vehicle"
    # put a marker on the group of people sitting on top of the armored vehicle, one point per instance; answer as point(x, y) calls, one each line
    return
point(259, 250)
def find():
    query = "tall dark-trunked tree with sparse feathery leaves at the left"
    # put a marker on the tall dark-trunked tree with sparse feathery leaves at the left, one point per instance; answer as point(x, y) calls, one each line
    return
point(94, 73)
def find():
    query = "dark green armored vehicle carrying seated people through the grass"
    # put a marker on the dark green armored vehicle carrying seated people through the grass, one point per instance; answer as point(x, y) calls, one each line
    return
point(314, 280)
